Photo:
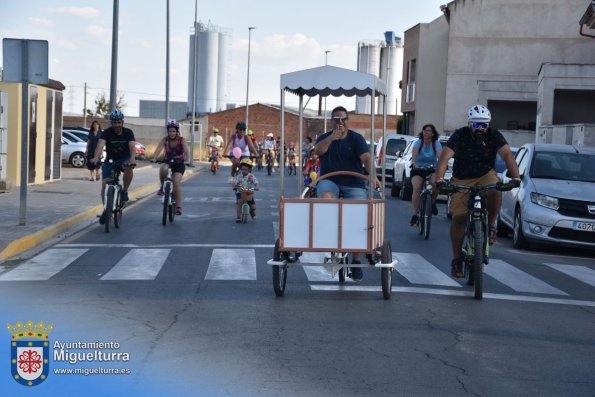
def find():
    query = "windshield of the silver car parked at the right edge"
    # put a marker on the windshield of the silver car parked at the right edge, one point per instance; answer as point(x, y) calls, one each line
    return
point(563, 166)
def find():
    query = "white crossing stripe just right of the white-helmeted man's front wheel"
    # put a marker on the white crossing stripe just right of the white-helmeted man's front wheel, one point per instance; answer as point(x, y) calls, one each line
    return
point(517, 279)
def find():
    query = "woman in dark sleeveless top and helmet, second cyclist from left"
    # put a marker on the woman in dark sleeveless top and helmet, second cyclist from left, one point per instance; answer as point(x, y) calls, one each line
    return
point(176, 149)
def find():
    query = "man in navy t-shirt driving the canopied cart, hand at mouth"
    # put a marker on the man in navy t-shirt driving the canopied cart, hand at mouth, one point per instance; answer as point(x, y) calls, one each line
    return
point(344, 150)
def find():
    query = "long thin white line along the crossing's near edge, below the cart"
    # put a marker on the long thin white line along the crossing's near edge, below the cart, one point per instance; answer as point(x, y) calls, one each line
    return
point(435, 291)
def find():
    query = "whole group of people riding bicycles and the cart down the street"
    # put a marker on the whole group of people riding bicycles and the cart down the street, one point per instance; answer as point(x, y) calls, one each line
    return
point(473, 147)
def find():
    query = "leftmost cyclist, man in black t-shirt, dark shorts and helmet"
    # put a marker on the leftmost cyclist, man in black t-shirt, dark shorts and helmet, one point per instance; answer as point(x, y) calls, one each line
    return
point(120, 148)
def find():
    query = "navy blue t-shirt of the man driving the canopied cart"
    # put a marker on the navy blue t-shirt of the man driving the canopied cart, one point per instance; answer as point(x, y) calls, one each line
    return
point(344, 155)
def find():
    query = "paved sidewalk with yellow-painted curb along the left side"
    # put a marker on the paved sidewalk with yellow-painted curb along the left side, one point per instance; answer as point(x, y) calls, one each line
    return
point(59, 209)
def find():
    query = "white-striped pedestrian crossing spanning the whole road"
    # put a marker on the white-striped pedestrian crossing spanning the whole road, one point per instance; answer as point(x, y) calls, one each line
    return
point(239, 263)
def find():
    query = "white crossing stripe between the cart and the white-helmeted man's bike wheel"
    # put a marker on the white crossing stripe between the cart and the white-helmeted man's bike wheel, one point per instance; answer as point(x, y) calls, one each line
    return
point(419, 271)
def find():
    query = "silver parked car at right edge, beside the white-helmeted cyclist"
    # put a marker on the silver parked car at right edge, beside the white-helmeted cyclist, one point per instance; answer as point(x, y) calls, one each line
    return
point(555, 203)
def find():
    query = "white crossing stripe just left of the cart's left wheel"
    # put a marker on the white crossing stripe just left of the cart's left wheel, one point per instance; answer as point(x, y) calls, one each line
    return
point(232, 264)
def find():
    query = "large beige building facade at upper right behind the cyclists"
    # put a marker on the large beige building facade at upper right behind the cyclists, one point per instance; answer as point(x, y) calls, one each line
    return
point(493, 52)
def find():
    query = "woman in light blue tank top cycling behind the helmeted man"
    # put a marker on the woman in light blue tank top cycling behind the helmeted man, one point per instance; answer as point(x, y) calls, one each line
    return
point(425, 153)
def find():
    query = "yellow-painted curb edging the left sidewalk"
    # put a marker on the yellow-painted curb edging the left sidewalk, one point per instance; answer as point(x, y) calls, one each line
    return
point(25, 243)
